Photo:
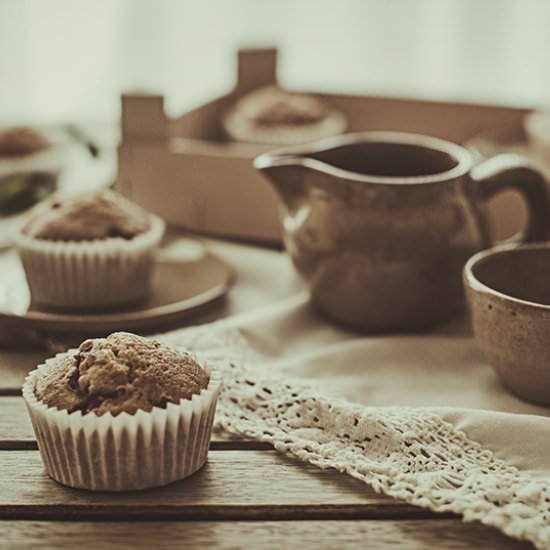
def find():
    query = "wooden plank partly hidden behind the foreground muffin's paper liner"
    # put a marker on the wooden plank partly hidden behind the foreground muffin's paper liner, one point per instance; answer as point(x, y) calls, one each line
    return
point(16, 430)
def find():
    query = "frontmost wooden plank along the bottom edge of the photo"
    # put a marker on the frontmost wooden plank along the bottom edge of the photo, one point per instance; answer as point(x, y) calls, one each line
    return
point(451, 534)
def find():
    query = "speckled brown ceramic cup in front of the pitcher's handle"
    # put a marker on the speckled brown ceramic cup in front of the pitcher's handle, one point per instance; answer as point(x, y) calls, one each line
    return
point(509, 298)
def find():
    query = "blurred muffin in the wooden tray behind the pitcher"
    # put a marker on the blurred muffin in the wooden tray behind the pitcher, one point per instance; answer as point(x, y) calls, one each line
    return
point(273, 116)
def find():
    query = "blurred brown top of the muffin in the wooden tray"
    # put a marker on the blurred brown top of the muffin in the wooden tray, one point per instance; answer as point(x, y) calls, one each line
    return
point(271, 106)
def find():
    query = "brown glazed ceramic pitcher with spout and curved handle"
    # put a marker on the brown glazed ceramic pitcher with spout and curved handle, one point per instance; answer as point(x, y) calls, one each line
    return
point(381, 223)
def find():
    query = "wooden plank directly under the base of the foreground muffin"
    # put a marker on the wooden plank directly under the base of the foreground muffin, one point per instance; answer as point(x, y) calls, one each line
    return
point(233, 485)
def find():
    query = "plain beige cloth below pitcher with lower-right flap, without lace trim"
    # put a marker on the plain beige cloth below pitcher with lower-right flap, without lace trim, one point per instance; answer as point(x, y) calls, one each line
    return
point(444, 369)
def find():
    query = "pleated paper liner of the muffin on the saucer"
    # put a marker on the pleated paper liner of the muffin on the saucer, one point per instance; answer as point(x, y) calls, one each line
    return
point(90, 274)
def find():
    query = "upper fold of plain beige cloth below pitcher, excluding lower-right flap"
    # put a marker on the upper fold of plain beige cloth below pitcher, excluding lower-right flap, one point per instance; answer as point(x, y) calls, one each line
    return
point(442, 368)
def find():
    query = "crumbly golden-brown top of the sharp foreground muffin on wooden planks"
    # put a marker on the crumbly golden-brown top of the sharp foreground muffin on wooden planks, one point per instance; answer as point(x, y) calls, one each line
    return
point(120, 373)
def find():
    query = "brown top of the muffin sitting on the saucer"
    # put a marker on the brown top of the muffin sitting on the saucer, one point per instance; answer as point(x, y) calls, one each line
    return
point(99, 215)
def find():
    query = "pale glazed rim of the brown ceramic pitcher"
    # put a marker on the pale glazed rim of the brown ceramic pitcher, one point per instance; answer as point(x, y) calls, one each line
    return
point(293, 155)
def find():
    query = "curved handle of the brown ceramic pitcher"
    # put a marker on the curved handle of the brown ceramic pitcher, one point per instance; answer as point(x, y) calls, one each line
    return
point(515, 172)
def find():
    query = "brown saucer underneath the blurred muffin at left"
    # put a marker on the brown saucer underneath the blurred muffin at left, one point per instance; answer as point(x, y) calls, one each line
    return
point(187, 279)
